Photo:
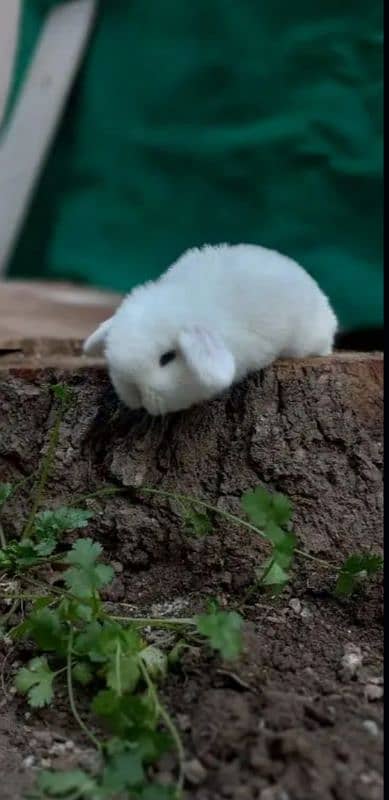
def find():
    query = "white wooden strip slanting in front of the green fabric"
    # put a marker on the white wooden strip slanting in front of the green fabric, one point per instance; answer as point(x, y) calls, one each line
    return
point(30, 131)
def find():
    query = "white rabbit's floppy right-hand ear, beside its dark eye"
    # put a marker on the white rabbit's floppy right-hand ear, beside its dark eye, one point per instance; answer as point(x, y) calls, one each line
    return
point(207, 356)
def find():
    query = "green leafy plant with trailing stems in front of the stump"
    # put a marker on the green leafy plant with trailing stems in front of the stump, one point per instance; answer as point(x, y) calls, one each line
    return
point(84, 648)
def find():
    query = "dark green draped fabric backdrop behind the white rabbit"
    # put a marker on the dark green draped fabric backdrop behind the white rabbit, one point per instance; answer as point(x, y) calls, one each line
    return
point(217, 121)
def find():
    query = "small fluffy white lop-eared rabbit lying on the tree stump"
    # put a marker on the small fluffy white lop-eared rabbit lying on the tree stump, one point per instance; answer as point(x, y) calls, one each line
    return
point(216, 315)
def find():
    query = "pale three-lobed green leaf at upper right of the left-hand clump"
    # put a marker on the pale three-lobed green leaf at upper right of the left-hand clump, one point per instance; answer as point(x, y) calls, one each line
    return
point(86, 577)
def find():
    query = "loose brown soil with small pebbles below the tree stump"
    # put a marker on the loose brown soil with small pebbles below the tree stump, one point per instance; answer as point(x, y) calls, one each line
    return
point(296, 718)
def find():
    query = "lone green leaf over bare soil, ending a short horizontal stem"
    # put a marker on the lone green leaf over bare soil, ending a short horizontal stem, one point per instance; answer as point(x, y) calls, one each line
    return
point(223, 629)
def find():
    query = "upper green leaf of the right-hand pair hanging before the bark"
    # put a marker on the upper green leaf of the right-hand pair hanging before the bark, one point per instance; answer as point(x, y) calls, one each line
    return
point(262, 507)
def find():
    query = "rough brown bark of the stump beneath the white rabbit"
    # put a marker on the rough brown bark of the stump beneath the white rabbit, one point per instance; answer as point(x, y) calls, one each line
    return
point(311, 429)
